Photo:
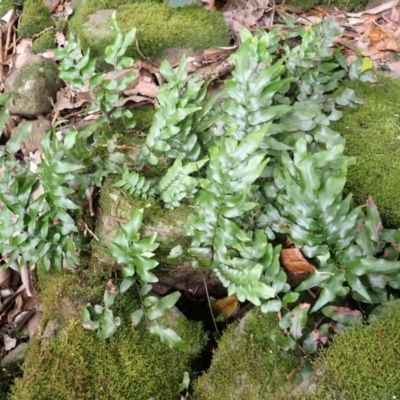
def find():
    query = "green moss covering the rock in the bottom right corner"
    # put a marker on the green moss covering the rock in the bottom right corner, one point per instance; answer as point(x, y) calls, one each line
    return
point(363, 362)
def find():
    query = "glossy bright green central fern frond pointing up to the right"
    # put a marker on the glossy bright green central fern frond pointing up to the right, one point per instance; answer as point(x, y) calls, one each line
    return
point(218, 240)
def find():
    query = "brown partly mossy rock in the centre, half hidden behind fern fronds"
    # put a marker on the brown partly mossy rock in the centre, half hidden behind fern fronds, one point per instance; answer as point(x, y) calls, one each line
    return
point(175, 273)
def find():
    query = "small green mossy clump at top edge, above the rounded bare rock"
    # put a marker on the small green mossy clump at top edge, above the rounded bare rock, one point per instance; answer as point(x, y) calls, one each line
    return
point(36, 17)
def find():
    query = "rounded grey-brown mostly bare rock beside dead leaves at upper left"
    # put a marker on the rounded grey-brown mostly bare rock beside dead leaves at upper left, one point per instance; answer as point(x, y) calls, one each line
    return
point(32, 85)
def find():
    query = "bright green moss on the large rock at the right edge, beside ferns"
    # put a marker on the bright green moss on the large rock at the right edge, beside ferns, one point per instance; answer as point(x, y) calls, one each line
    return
point(372, 135)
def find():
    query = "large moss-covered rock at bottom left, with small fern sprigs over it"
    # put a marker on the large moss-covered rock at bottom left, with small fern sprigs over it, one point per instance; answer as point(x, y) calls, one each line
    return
point(76, 364)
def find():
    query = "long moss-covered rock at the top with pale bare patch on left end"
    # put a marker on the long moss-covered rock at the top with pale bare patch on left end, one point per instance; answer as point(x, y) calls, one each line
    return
point(190, 27)
